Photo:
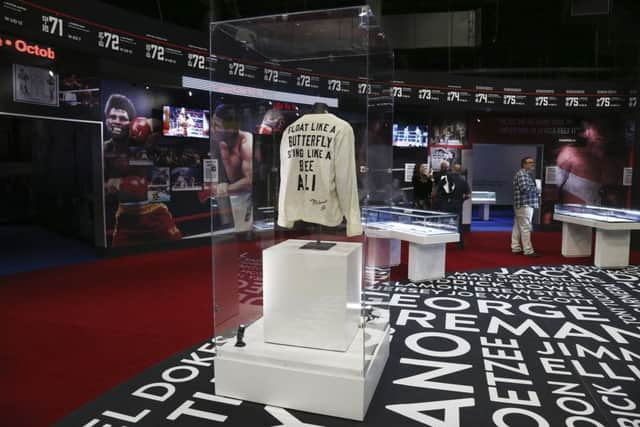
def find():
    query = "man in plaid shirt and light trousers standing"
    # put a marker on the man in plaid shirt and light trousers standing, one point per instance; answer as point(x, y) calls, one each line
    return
point(525, 200)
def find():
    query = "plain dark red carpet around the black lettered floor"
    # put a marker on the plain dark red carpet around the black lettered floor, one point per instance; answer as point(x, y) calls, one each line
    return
point(69, 334)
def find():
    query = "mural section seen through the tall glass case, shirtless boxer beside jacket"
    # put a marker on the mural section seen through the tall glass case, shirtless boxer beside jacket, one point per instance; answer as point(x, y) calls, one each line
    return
point(245, 139)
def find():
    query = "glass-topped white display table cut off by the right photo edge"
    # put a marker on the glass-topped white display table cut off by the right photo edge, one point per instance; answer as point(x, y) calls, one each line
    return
point(613, 232)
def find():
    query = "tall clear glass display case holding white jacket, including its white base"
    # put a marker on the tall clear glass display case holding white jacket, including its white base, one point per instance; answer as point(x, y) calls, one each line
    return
point(300, 138)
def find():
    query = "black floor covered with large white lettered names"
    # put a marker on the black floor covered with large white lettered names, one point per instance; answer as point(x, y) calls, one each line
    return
point(537, 346)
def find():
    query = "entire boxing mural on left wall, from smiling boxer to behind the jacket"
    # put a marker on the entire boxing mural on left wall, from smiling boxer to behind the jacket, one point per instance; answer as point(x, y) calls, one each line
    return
point(187, 171)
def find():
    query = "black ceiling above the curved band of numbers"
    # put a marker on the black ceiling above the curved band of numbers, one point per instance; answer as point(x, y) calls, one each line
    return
point(519, 38)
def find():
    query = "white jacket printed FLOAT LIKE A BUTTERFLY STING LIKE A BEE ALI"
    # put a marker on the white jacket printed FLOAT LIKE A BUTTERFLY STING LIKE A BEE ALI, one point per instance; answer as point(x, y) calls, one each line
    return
point(318, 173)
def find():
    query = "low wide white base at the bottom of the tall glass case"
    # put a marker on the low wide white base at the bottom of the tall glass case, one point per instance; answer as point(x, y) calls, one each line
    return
point(339, 384)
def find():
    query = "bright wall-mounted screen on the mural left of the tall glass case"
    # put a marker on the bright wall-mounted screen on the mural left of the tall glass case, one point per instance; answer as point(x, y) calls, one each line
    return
point(185, 122)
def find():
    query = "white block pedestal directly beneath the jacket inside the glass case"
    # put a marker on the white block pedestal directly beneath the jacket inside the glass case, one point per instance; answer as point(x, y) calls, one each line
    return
point(311, 297)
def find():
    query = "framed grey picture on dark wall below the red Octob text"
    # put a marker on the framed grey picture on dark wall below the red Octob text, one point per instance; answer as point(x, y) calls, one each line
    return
point(34, 85)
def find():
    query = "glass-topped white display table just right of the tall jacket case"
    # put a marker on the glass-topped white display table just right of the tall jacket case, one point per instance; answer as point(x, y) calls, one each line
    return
point(427, 233)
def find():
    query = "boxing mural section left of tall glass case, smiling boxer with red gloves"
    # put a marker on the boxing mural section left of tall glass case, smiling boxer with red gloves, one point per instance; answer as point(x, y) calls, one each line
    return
point(143, 170)
